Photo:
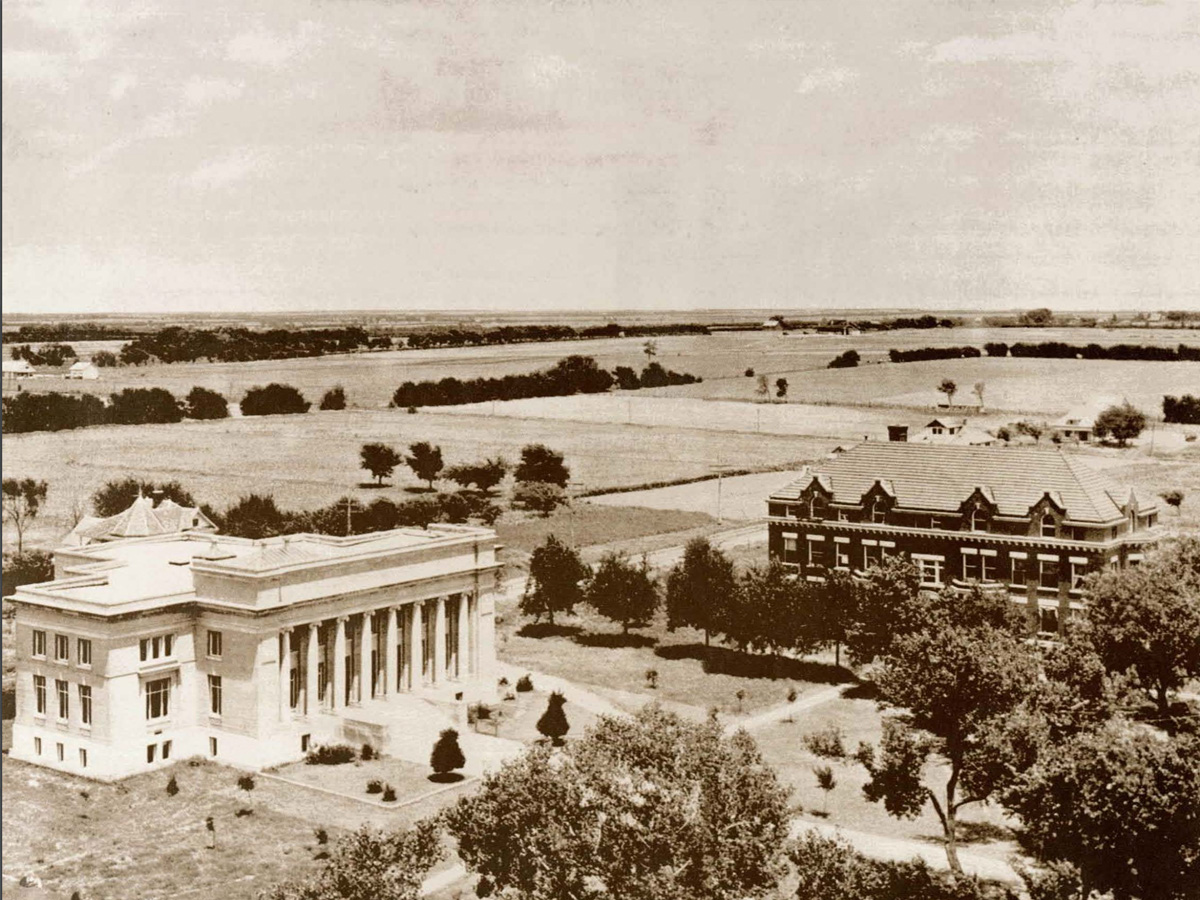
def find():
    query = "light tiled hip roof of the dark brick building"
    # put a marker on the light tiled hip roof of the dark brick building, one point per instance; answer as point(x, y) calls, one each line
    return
point(940, 478)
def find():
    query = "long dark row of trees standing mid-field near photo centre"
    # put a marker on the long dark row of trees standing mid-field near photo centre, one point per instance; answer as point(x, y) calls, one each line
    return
point(573, 375)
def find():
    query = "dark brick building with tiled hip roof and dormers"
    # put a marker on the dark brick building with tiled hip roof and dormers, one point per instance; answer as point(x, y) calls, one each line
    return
point(1030, 521)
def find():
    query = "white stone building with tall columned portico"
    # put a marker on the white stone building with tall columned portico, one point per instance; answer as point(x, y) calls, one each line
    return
point(181, 643)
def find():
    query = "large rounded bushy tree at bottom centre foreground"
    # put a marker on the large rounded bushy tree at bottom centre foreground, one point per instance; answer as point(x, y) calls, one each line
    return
point(643, 808)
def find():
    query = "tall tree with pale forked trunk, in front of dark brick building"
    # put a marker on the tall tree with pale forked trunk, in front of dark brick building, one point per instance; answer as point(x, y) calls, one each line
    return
point(959, 691)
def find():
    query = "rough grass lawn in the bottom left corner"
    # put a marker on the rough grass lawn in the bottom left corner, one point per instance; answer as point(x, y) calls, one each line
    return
point(133, 841)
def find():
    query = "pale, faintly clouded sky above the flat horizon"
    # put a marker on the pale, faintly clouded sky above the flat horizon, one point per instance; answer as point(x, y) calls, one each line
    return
point(167, 155)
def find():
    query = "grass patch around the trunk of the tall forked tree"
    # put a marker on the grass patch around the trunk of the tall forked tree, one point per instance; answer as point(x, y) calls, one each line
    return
point(985, 827)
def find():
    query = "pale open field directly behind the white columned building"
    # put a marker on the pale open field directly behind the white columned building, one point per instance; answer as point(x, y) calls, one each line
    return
point(314, 459)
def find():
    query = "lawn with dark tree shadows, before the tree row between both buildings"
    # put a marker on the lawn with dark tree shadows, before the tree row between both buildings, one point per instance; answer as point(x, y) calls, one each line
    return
point(591, 651)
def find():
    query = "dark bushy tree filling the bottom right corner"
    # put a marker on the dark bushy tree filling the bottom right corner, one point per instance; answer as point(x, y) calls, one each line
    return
point(1123, 807)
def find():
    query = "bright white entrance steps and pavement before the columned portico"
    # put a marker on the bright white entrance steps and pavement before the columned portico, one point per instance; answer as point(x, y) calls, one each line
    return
point(407, 727)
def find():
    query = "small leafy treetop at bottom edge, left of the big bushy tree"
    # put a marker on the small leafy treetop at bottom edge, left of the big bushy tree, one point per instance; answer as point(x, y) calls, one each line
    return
point(371, 865)
